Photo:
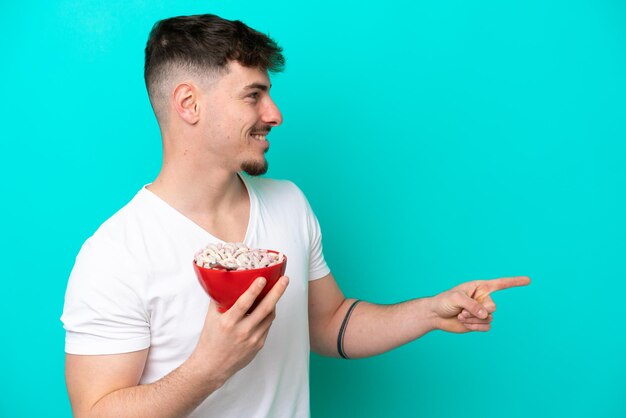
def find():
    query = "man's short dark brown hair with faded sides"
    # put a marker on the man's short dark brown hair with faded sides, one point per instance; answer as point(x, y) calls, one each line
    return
point(202, 46)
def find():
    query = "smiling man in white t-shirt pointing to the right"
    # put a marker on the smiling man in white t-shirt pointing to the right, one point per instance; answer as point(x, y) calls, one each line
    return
point(142, 338)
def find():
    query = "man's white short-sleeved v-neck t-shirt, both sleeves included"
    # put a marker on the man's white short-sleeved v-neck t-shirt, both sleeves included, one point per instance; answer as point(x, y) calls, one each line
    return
point(133, 286)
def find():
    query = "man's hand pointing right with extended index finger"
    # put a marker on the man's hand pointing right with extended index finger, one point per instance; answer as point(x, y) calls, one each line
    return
point(468, 306)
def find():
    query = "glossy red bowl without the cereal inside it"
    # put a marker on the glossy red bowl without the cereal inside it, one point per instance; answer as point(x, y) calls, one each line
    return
point(225, 287)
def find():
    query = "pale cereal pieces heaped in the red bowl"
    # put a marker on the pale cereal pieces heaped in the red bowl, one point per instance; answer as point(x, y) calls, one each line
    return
point(236, 256)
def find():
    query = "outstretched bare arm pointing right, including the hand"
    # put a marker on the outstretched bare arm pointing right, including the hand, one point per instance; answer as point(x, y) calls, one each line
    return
point(374, 329)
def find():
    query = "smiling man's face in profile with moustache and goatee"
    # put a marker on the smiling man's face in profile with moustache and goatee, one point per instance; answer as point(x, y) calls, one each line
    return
point(239, 117)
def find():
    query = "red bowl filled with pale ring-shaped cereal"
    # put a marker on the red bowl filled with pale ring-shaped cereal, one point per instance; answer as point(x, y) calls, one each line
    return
point(226, 271)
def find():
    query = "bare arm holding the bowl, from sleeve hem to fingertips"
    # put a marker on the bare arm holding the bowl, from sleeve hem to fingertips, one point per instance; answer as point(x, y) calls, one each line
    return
point(108, 385)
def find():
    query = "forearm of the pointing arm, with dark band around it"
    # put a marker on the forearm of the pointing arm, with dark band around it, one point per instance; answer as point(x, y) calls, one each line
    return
point(374, 329)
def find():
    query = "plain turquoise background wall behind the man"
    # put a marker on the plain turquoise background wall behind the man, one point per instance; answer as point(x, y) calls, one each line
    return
point(451, 140)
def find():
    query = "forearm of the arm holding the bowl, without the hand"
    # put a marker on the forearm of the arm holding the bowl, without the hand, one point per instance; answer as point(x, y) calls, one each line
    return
point(175, 395)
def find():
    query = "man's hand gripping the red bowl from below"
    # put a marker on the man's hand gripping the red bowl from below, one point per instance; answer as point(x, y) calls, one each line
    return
point(229, 341)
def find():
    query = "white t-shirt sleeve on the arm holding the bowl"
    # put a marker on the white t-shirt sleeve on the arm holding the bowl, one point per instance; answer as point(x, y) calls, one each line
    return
point(103, 311)
